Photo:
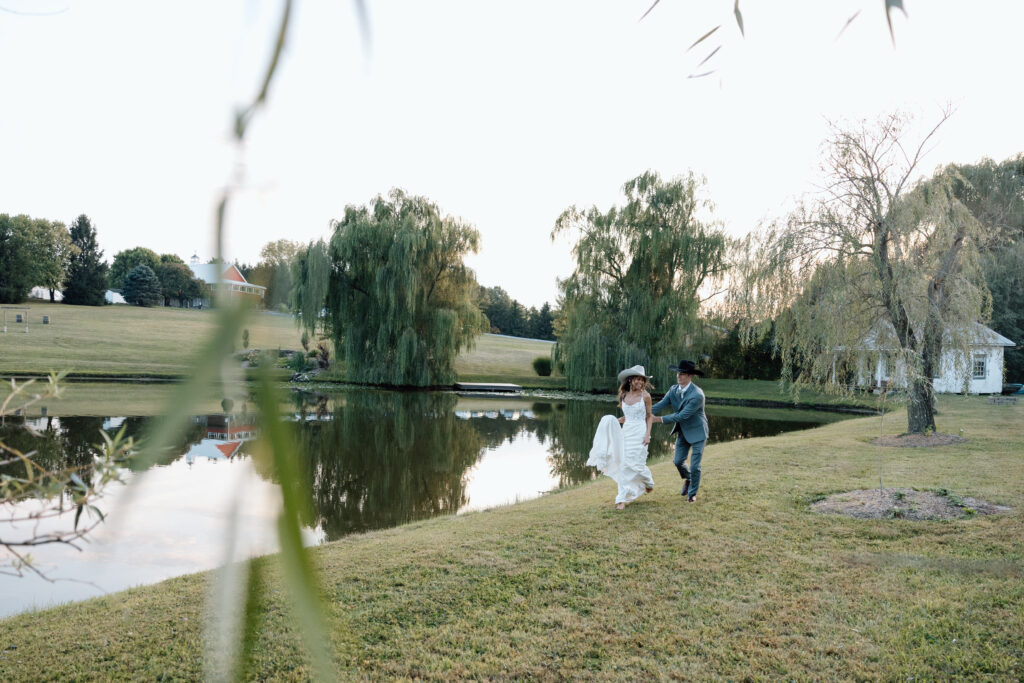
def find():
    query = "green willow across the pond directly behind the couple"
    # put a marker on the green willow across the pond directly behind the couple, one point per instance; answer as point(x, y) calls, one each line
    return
point(634, 296)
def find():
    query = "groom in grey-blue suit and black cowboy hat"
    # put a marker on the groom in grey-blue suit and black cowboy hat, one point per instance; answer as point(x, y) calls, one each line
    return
point(691, 424)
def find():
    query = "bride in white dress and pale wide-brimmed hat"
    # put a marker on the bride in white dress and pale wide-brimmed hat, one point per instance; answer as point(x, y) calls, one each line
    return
point(621, 452)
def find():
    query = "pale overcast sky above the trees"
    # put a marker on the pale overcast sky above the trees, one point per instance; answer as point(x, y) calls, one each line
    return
point(503, 114)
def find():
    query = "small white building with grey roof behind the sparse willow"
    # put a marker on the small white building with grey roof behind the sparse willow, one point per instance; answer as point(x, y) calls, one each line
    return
point(983, 372)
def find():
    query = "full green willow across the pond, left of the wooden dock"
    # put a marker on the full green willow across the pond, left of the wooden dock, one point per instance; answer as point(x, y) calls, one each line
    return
point(400, 302)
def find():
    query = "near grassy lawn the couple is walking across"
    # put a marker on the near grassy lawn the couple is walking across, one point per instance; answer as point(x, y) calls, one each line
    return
point(748, 584)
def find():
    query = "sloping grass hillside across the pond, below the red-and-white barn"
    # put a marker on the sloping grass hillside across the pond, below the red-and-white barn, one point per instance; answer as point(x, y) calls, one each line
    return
point(120, 341)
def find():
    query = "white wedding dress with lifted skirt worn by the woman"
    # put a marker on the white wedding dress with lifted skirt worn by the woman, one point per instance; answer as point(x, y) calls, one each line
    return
point(619, 452)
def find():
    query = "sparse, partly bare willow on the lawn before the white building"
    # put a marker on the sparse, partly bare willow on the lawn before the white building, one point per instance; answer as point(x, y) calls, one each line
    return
point(878, 271)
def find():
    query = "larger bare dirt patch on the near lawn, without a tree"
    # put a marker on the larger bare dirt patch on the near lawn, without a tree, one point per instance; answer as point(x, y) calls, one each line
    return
point(904, 504)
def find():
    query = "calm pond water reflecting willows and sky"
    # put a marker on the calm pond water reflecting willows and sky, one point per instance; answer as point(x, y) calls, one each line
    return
point(373, 459)
